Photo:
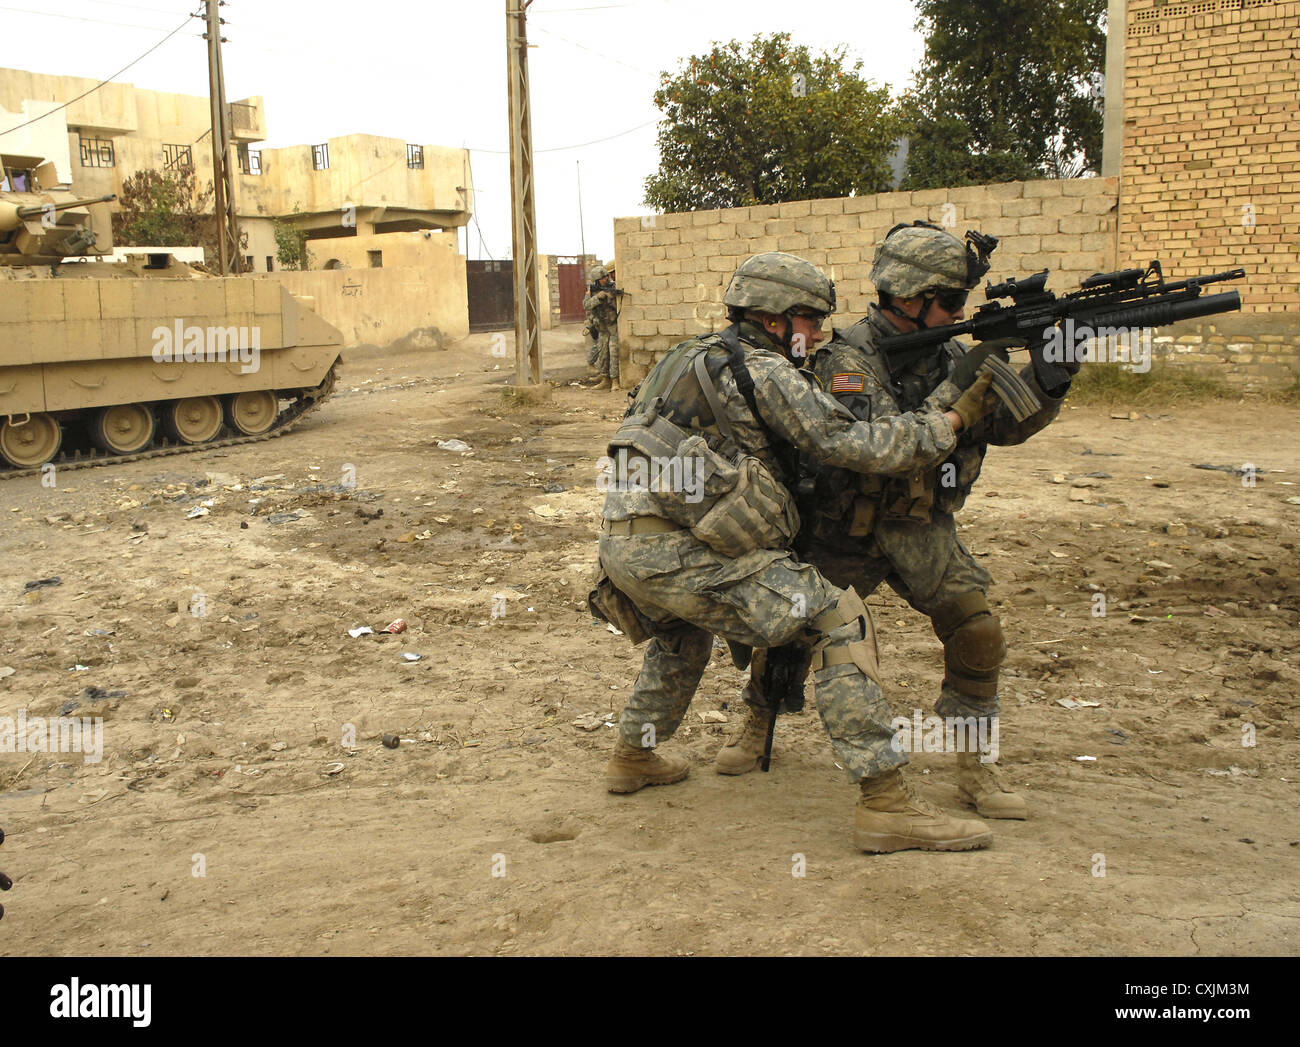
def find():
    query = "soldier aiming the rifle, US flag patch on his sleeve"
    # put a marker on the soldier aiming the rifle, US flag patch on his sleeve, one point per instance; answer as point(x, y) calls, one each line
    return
point(898, 526)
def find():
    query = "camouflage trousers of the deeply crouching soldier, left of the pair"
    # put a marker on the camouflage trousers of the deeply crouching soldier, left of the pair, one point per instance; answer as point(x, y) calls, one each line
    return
point(765, 599)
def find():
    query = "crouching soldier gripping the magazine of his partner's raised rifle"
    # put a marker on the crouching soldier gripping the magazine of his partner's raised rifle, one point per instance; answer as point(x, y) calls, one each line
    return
point(704, 547)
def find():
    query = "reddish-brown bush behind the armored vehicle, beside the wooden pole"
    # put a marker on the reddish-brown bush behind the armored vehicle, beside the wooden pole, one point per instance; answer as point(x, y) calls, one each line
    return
point(164, 210)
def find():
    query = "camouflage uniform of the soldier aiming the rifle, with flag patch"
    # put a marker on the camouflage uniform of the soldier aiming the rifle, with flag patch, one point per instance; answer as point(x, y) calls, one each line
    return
point(900, 529)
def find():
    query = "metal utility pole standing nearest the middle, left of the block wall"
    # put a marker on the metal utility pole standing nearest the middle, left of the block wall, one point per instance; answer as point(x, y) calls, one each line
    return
point(528, 348)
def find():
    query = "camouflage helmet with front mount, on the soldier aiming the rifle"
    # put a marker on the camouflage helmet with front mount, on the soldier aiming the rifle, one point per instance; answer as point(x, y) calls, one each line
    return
point(922, 258)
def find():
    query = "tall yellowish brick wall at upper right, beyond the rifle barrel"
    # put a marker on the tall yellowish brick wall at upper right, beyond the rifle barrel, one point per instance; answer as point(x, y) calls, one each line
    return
point(1211, 171)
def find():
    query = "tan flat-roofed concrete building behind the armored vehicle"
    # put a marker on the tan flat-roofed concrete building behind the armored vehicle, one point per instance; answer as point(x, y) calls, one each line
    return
point(358, 185)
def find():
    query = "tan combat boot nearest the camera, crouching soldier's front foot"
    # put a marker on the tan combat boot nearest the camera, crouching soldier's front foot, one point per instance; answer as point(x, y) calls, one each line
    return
point(891, 817)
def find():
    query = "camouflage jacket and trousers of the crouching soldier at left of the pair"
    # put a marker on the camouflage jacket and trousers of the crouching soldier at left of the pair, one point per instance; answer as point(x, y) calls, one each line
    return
point(688, 592)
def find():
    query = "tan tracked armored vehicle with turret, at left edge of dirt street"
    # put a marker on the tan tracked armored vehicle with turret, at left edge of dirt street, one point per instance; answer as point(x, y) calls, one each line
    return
point(142, 357)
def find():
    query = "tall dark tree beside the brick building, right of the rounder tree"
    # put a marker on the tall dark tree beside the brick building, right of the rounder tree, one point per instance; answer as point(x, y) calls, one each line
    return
point(1007, 94)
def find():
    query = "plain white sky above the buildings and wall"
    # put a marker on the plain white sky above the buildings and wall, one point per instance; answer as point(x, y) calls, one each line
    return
point(435, 72)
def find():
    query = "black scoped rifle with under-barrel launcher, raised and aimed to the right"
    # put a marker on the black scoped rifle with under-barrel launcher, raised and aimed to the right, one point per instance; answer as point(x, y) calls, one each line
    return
point(1130, 298)
